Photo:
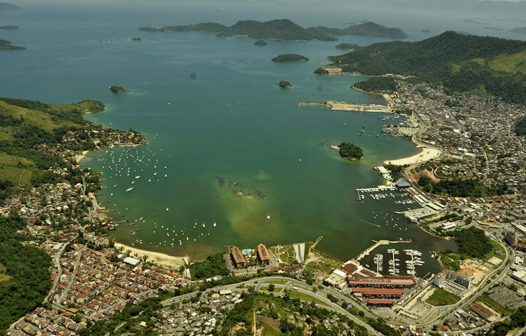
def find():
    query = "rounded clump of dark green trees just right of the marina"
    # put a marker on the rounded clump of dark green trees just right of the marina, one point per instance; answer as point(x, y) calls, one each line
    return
point(473, 242)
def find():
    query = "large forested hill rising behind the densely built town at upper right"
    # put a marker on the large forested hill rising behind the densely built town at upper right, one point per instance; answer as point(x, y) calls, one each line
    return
point(460, 62)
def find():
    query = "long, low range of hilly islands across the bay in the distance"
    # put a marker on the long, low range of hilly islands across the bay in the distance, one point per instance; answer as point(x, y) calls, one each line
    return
point(284, 29)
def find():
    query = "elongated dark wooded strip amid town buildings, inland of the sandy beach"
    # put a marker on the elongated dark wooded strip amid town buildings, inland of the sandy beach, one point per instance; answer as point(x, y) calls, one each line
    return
point(460, 187)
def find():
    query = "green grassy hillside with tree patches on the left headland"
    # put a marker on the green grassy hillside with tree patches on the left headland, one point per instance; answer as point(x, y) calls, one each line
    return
point(24, 124)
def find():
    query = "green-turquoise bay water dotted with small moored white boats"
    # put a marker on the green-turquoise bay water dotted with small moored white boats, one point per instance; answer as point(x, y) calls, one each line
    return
point(231, 158)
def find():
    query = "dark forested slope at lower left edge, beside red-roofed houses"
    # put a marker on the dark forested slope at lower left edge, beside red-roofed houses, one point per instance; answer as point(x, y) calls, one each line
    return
point(25, 270)
